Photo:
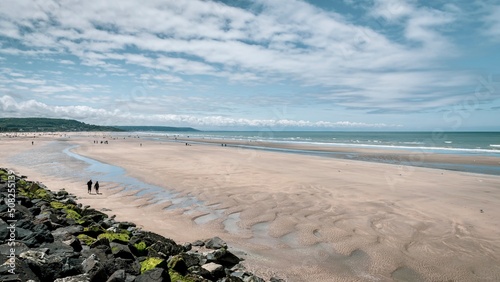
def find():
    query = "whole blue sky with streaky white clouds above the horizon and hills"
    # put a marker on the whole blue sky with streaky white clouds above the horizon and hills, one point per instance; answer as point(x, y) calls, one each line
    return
point(386, 65)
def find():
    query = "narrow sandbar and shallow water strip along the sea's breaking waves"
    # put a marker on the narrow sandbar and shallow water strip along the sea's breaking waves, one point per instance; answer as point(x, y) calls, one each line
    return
point(449, 159)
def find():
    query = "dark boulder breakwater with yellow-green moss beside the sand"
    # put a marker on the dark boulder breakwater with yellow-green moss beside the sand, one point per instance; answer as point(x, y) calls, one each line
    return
point(48, 236)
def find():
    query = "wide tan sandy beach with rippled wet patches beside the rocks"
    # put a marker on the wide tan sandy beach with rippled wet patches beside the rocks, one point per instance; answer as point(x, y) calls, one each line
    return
point(301, 217)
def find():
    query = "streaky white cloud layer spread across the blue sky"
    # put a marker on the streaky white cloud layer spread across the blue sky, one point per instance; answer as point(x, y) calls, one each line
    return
point(395, 55)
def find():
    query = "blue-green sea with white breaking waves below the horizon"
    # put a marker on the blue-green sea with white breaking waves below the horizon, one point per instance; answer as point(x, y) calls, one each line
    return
point(483, 143)
